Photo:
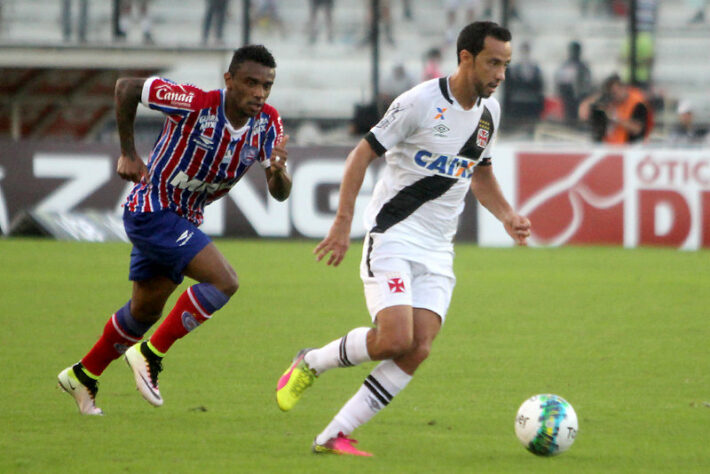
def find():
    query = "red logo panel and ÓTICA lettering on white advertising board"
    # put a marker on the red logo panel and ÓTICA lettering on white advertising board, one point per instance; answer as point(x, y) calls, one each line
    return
point(633, 197)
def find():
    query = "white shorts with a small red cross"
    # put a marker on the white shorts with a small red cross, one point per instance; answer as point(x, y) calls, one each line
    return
point(398, 280)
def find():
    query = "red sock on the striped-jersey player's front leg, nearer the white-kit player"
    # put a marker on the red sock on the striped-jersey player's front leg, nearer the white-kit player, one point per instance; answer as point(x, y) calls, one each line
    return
point(187, 314)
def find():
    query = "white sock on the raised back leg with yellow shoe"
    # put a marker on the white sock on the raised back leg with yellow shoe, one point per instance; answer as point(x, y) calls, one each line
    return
point(346, 351)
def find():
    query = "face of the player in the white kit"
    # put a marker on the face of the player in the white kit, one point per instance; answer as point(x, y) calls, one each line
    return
point(489, 66)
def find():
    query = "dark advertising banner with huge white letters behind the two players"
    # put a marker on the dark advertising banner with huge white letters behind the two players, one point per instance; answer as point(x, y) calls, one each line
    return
point(74, 184)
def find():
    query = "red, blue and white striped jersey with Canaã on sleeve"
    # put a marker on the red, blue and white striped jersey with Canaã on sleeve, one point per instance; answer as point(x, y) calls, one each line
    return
point(198, 156)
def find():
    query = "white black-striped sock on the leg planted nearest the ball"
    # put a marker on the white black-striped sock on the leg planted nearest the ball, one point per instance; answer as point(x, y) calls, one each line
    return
point(376, 392)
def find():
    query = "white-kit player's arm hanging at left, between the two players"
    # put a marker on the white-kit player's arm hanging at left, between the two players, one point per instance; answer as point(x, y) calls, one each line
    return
point(338, 239)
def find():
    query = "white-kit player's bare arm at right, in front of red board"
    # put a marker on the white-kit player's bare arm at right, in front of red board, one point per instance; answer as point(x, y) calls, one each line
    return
point(485, 187)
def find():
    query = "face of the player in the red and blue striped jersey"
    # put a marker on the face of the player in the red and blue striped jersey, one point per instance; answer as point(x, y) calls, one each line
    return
point(249, 87)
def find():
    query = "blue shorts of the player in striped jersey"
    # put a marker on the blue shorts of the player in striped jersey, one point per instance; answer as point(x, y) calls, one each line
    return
point(163, 244)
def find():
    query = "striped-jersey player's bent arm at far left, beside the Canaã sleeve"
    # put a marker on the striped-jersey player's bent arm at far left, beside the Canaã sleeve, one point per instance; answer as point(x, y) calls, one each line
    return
point(127, 96)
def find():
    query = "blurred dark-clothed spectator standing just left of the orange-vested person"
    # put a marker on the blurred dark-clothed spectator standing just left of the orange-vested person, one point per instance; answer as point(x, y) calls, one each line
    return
point(573, 81)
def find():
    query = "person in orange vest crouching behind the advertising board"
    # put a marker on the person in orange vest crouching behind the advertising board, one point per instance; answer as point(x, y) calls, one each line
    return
point(618, 114)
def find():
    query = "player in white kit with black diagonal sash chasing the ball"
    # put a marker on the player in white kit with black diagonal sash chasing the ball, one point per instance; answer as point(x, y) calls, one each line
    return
point(436, 139)
